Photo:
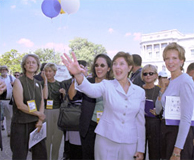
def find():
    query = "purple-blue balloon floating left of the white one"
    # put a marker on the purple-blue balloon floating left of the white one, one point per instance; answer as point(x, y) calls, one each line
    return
point(51, 8)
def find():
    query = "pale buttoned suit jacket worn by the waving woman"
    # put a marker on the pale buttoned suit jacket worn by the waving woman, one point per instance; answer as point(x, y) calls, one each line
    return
point(123, 117)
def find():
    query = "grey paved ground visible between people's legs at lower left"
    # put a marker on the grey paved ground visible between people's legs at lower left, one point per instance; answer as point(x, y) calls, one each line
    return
point(6, 153)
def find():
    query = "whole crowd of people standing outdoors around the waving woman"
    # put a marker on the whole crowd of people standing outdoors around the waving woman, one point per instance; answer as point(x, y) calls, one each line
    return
point(123, 108)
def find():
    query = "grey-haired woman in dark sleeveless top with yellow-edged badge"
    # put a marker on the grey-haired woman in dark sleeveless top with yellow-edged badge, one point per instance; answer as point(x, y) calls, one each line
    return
point(28, 111)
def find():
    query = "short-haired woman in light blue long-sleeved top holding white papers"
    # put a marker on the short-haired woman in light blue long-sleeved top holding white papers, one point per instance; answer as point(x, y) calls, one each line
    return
point(176, 140)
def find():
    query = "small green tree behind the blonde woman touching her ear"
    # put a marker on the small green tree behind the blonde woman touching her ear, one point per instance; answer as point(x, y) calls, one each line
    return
point(48, 55)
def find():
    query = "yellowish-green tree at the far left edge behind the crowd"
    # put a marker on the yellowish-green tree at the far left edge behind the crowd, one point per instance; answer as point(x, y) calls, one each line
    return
point(12, 60)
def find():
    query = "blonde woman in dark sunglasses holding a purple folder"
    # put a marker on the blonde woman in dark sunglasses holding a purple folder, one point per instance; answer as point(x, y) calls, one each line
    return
point(149, 75)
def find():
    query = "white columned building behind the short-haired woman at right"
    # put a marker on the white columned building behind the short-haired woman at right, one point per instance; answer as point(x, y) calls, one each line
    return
point(153, 44)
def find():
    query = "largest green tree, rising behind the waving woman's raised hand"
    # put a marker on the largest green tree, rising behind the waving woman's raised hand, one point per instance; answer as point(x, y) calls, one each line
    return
point(86, 50)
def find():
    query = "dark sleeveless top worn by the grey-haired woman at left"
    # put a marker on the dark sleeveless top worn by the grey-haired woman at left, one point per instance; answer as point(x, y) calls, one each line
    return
point(32, 90)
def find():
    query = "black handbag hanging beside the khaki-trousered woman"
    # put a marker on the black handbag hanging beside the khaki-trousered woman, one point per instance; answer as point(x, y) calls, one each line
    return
point(69, 116)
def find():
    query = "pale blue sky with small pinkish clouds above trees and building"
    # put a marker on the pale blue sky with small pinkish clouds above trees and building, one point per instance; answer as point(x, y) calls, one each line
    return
point(115, 24)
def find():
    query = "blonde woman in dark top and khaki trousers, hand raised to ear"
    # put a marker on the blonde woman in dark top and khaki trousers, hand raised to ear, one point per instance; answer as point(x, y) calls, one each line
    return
point(56, 92)
